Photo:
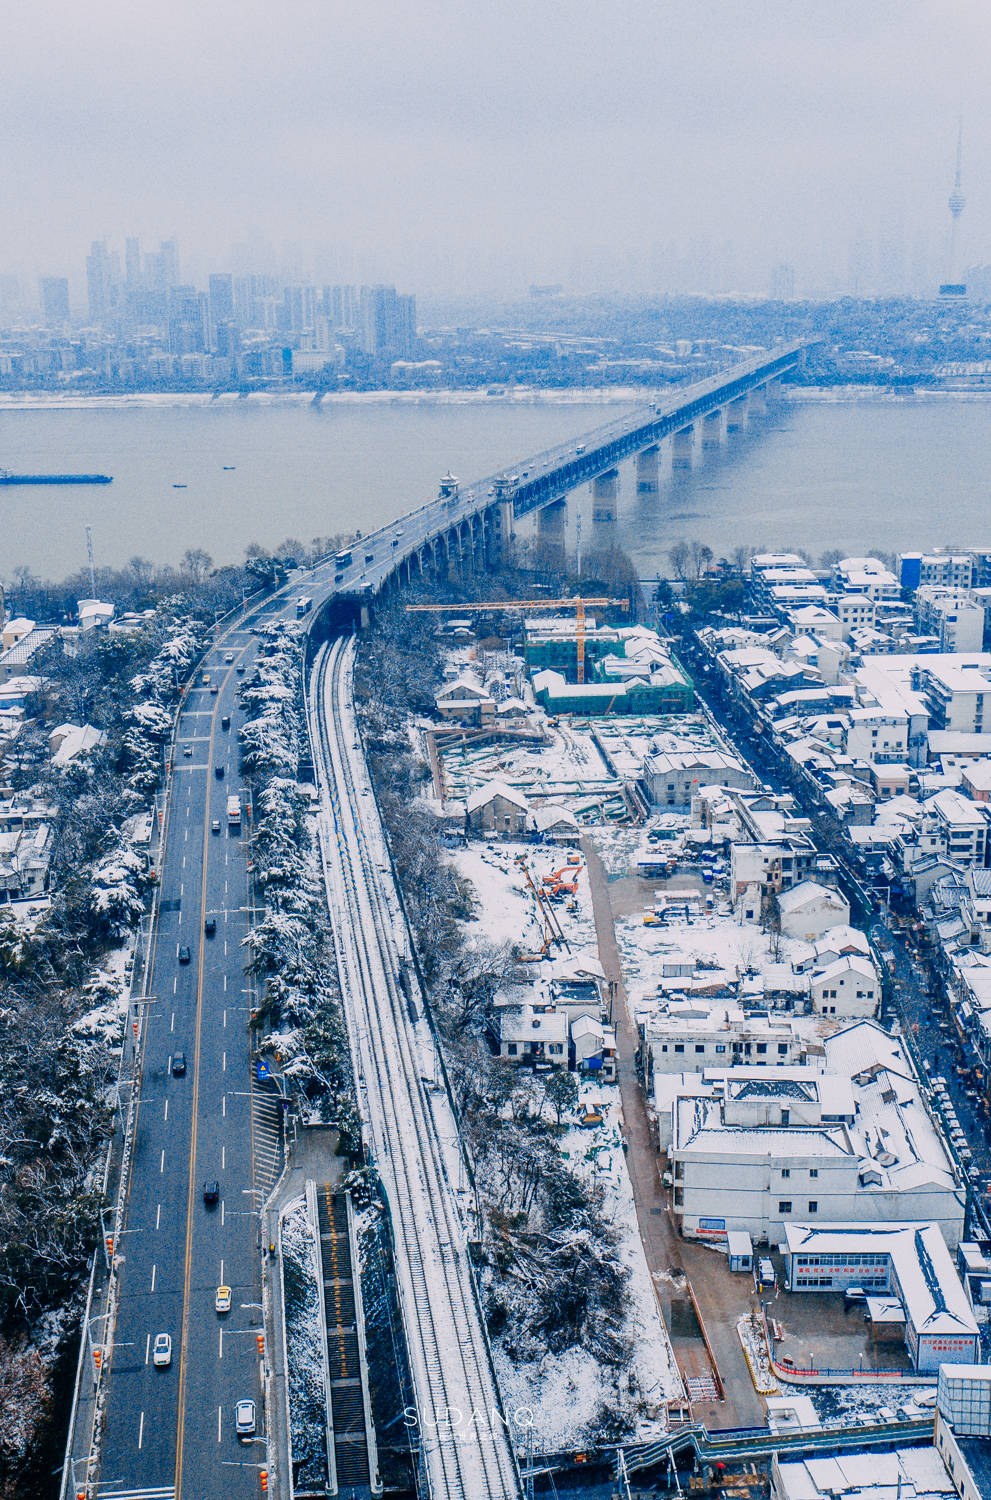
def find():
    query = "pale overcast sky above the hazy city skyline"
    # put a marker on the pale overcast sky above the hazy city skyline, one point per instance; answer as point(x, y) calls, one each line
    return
point(478, 143)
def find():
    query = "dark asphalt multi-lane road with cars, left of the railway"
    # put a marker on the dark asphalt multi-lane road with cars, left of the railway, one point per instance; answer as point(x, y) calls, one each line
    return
point(170, 1433)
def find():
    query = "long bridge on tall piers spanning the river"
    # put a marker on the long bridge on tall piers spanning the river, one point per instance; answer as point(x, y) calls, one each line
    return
point(473, 526)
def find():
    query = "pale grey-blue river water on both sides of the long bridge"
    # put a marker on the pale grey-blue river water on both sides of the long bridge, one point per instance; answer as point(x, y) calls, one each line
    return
point(854, 475)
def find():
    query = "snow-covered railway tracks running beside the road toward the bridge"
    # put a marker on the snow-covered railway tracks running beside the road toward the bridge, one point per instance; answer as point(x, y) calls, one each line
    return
point(467, 1451)
